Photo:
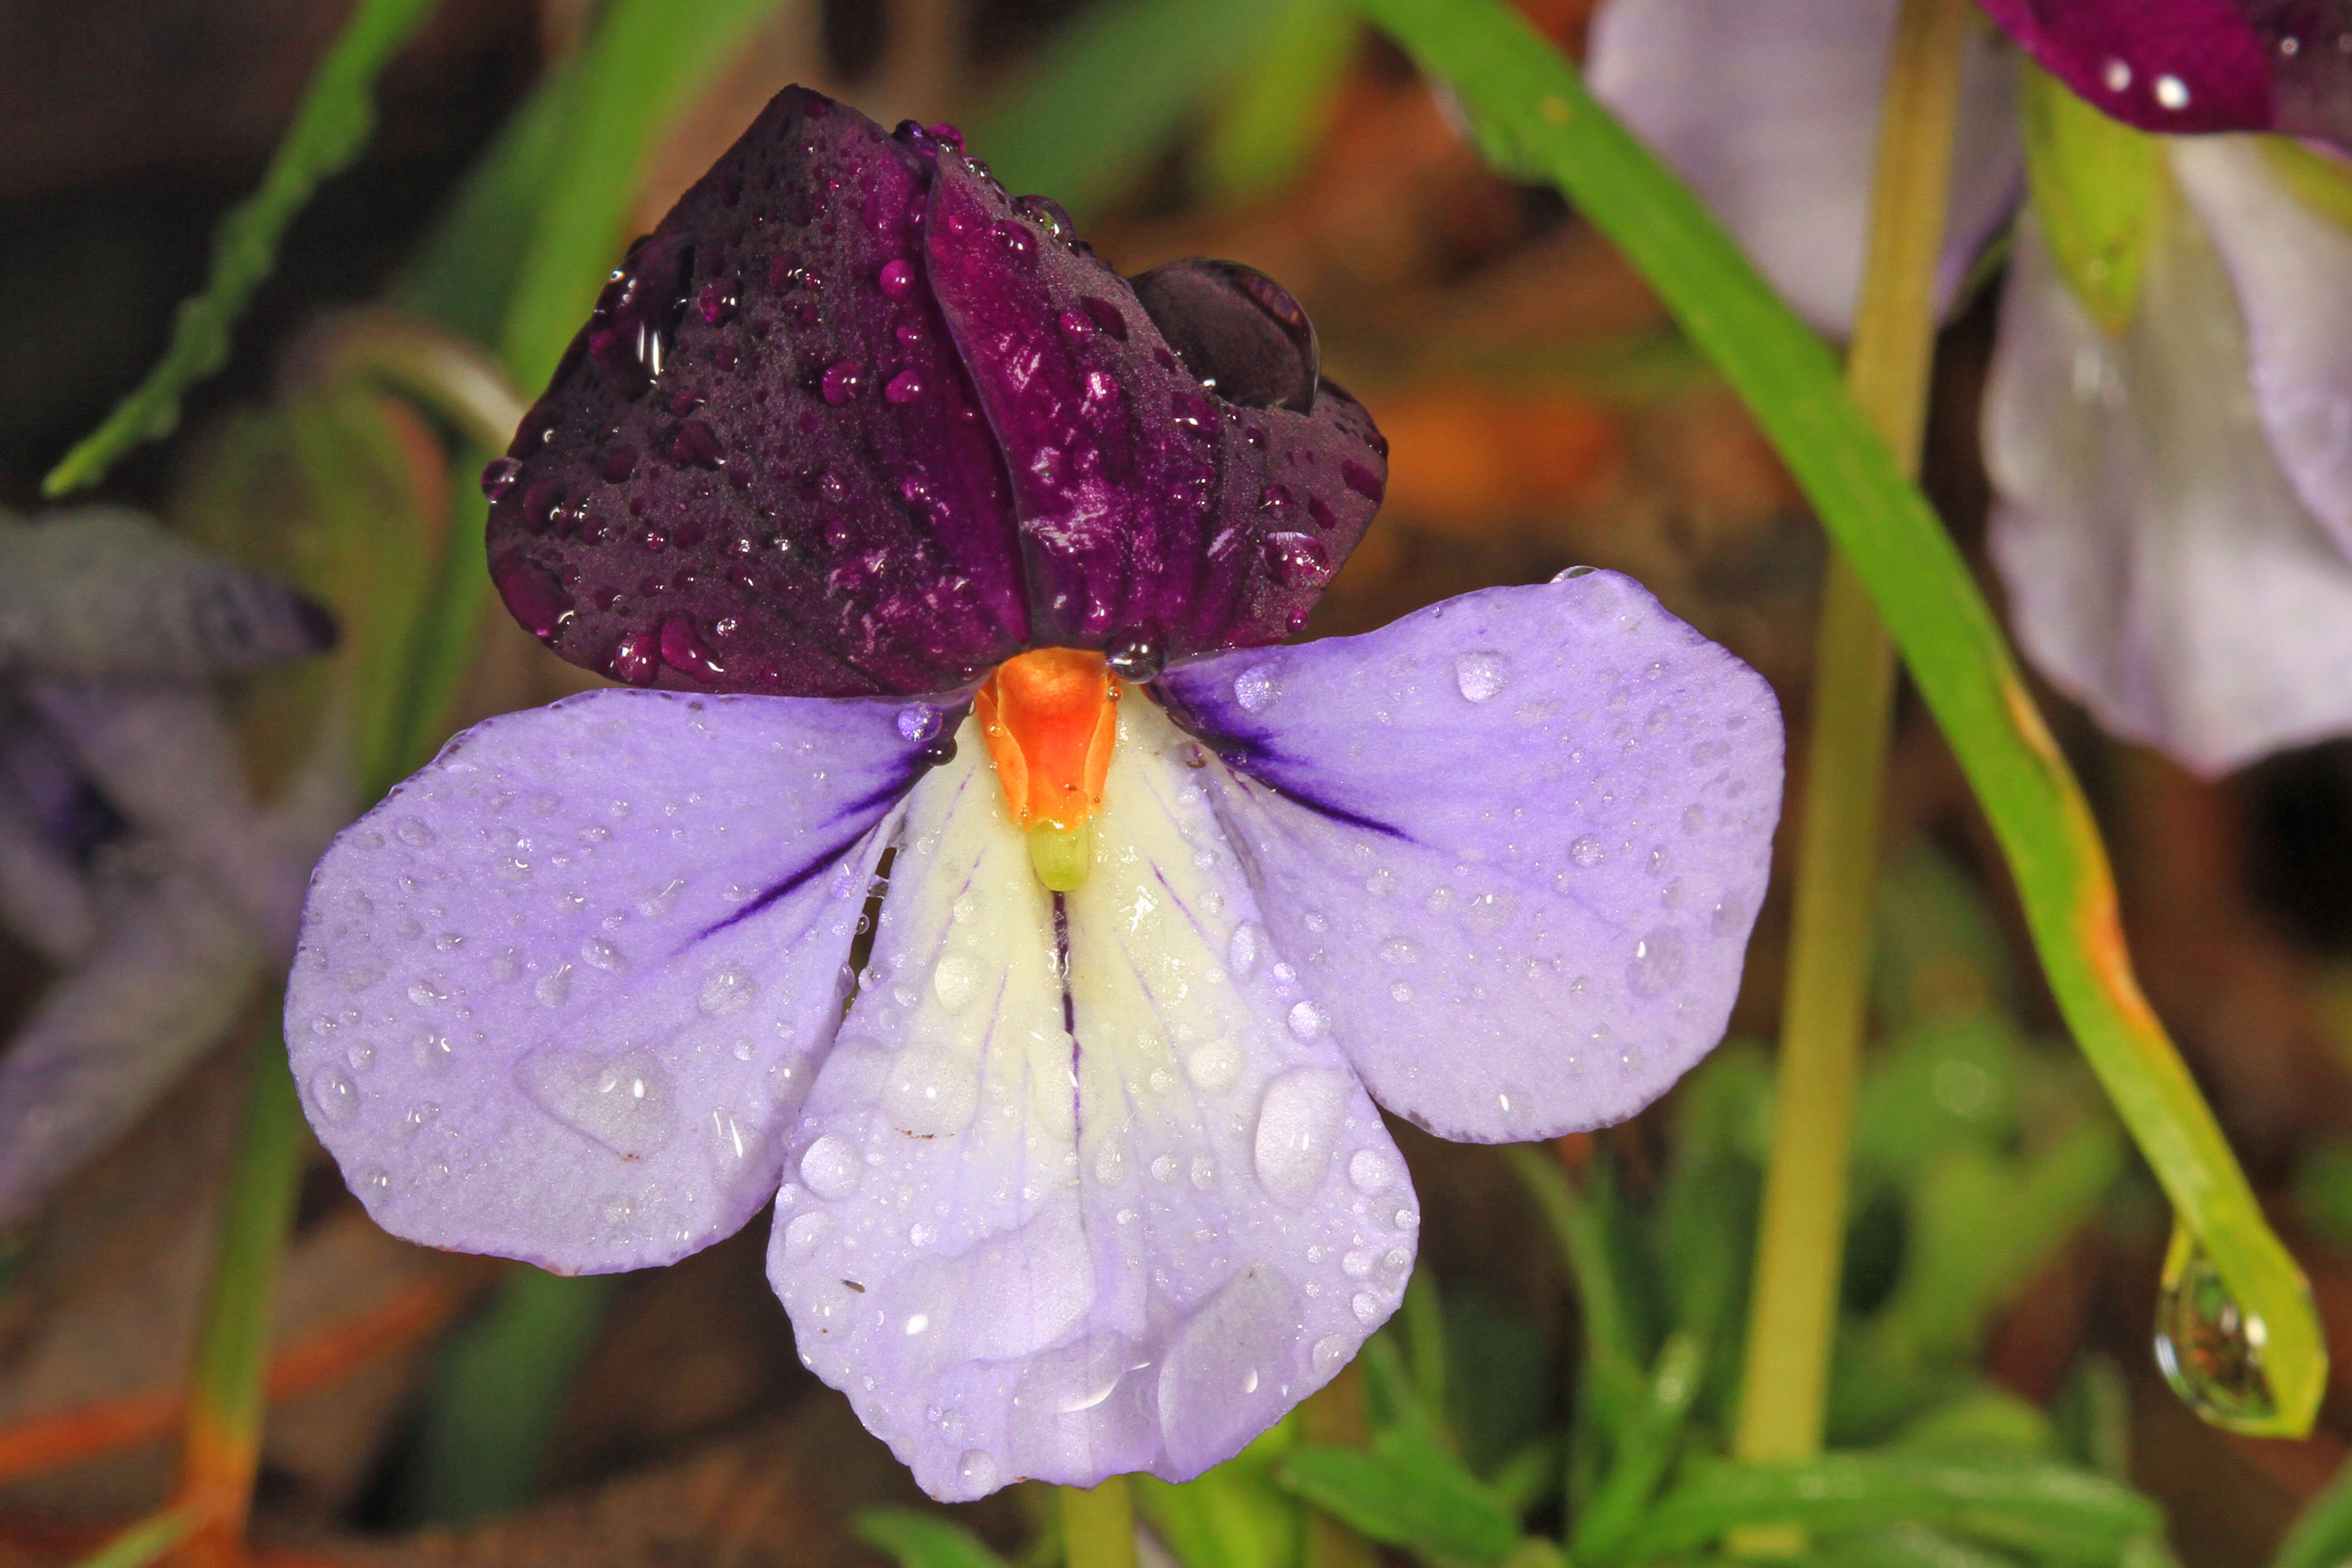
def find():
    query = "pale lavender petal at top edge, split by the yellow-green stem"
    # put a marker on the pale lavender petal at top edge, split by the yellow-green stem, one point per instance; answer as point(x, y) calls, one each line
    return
point(1770, 109)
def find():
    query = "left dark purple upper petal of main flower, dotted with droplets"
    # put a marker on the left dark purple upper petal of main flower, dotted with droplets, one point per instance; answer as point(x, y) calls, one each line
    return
point(761, 467)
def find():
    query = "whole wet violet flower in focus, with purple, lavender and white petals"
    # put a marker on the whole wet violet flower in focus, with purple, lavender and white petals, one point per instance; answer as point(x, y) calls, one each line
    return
point(961, 561)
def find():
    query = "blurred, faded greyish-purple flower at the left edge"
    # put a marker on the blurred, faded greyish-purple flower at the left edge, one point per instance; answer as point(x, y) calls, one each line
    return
point(131, 850)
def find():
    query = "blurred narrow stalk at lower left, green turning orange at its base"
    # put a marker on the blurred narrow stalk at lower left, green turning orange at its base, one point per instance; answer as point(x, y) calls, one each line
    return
point(227, 1398)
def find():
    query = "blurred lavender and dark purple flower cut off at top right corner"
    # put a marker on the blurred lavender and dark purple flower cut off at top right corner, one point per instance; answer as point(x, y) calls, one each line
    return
point(2172, 497)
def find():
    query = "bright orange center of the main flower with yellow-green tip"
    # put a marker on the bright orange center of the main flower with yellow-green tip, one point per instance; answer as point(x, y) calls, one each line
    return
point(1050, 718)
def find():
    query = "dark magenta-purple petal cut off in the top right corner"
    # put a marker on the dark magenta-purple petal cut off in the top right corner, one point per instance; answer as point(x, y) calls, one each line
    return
point(2198, 65)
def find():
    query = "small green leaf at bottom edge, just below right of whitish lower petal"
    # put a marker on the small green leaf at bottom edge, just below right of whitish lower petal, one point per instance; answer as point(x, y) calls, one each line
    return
point(1408, 1494)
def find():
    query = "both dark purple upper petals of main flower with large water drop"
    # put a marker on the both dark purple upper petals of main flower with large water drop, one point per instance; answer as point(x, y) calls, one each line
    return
point(855, 422)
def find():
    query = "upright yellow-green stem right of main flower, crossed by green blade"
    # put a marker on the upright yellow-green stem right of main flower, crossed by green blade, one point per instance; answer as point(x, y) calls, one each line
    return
point(1793, 1313)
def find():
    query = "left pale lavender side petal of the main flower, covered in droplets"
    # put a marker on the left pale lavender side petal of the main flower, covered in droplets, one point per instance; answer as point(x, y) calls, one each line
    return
point(563, 989)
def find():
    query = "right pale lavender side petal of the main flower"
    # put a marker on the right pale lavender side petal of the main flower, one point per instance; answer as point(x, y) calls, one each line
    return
point(1514, 845)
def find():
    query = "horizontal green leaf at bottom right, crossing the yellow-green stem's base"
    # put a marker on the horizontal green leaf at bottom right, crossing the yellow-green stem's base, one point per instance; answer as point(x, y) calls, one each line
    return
point(2033, 1508)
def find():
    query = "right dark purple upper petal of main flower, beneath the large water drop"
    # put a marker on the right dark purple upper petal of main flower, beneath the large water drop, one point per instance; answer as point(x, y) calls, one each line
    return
point(1154, 511)
